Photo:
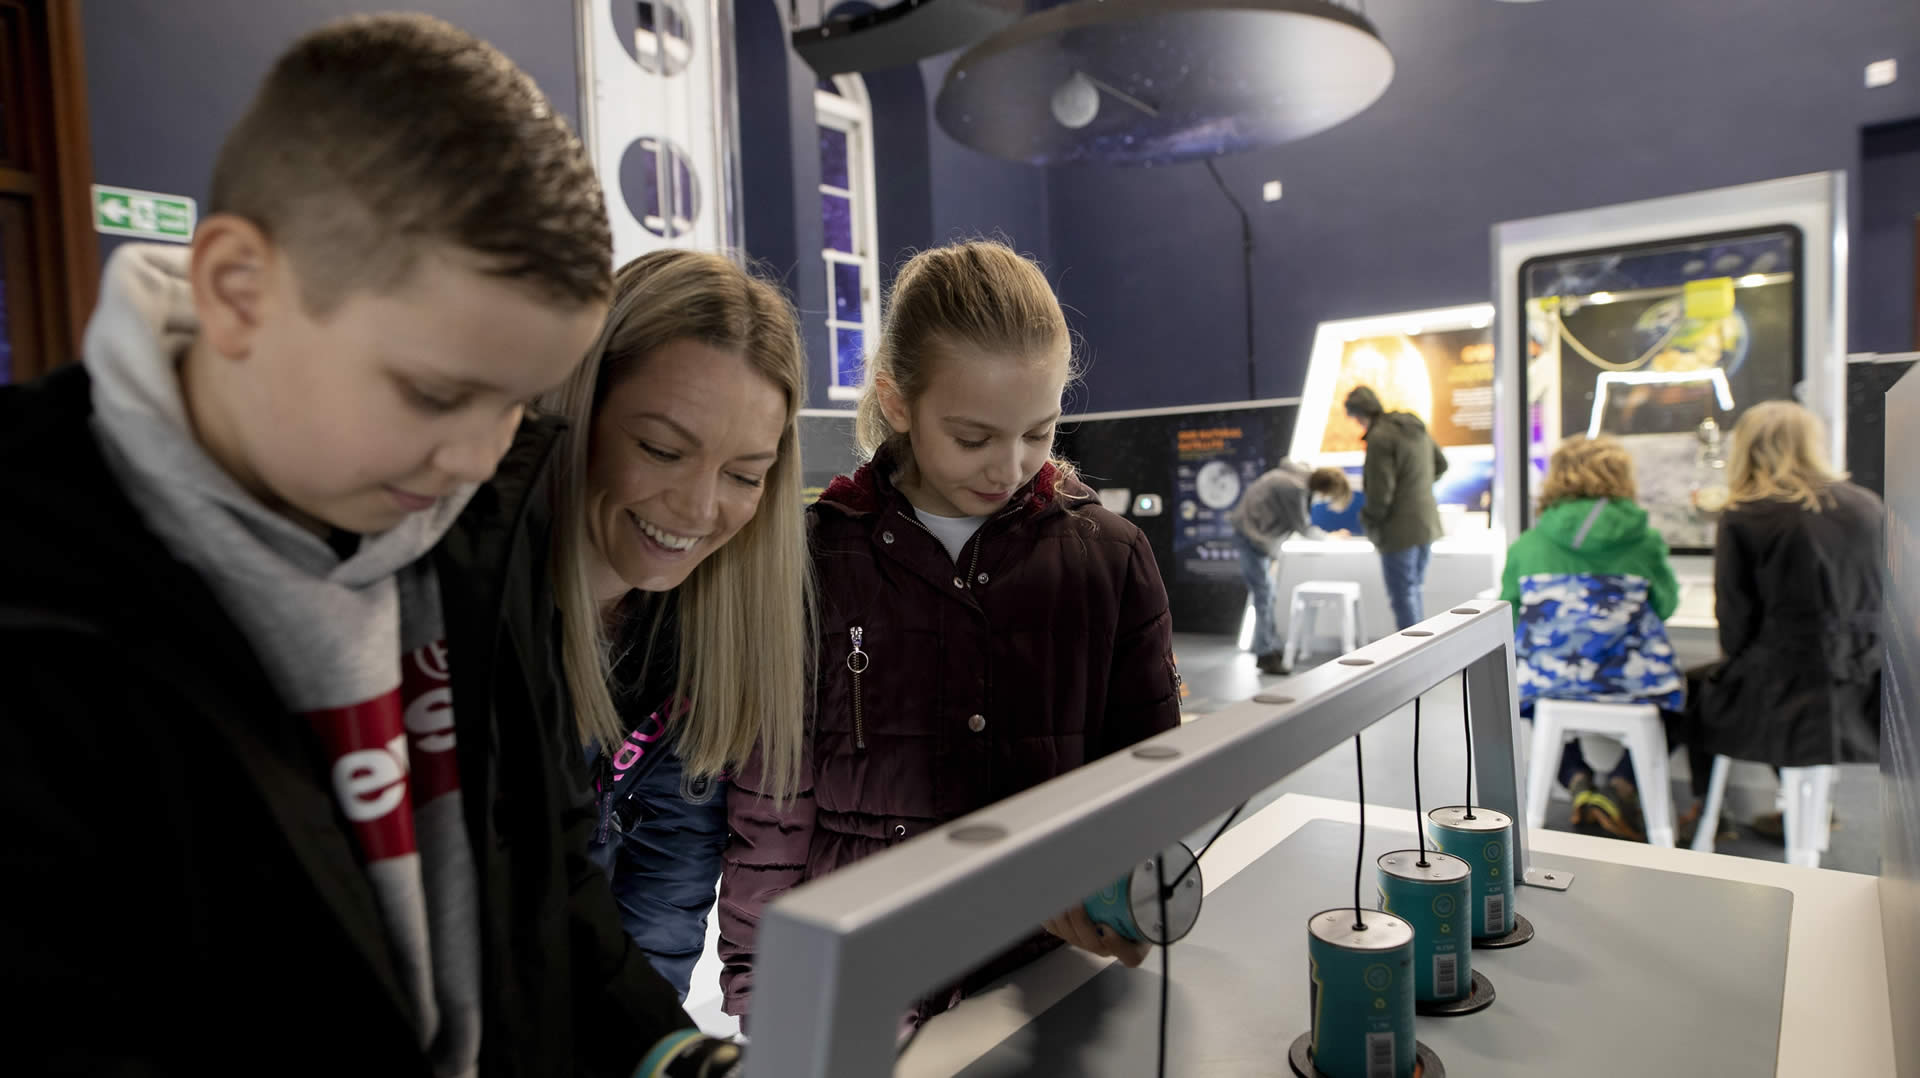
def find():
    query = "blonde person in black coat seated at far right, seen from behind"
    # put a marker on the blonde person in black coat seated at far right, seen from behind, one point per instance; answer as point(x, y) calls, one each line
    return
point(1798, 597)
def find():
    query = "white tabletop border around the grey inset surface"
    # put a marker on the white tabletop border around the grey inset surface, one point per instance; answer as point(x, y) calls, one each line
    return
point(1835, 1019)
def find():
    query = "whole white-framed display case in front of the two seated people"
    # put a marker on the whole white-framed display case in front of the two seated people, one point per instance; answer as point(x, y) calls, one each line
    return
point(1662, 322)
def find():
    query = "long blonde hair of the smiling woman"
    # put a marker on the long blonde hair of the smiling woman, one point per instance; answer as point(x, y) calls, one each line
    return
point(746, 614)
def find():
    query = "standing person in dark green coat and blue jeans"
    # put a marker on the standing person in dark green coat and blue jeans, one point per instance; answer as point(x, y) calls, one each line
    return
point(1401, 516)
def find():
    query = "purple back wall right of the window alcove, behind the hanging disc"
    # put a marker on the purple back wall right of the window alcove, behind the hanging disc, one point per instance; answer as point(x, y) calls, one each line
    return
point(1497, 112)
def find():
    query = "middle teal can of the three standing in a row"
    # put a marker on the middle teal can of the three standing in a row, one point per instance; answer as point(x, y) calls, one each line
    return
point(1435, 902)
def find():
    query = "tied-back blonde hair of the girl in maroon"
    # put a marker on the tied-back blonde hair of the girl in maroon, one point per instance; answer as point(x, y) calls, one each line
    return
point(976, 295)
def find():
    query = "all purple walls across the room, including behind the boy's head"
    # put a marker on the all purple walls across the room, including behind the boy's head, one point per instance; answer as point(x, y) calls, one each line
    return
point(1497, 112)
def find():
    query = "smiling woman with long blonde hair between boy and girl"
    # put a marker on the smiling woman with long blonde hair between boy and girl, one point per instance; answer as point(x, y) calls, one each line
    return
point(683, 579)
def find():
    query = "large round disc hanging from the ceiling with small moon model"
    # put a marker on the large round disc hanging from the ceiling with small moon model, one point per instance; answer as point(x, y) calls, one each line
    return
point(1201, 78)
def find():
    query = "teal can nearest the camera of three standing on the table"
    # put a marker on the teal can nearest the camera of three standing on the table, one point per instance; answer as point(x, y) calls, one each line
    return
point(1362, 994)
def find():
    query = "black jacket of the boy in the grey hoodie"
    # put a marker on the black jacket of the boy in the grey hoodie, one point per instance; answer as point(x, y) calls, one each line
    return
point(181, 893)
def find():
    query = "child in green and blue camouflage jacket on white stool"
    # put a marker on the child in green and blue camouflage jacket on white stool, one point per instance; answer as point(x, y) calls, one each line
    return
point(1591, 591)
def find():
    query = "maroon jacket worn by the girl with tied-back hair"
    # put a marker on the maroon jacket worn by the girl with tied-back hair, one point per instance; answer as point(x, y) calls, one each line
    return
point(1045, 649)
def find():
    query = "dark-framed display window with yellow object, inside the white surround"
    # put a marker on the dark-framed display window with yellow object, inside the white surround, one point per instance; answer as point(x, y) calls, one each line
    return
point(1662, 347)
